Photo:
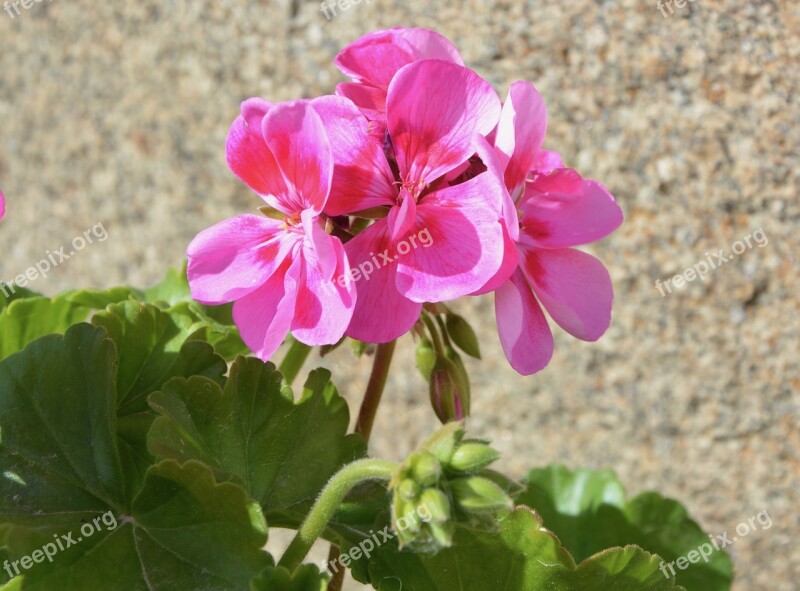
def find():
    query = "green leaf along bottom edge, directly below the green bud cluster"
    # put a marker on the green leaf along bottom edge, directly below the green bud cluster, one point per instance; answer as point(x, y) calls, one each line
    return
point(519, 556)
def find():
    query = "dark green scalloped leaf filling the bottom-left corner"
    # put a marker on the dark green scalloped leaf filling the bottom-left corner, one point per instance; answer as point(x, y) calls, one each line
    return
point(184, 531)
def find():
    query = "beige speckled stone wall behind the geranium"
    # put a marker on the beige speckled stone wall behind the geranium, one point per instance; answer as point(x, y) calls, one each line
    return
point(116, 113)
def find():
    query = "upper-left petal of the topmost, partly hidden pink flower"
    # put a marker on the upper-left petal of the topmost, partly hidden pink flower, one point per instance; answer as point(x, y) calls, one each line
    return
point(375, 58)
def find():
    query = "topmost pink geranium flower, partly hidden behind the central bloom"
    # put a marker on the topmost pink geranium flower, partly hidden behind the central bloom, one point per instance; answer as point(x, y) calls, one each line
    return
point(374, 59)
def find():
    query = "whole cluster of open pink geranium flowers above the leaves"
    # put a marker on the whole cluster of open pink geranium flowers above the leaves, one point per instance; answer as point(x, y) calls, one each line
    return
point(413, 184)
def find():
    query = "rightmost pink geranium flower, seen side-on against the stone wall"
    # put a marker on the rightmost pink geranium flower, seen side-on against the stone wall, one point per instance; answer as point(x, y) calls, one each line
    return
point(551, 210)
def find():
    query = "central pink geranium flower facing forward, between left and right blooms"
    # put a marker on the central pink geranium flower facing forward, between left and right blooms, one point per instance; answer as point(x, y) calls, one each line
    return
point(437, 114)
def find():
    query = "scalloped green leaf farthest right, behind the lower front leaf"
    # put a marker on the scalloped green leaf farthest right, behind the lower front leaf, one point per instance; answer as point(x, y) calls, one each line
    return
point(588, 511)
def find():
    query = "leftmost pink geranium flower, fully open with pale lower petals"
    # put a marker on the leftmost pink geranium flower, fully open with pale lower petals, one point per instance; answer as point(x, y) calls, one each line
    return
point(281, 273)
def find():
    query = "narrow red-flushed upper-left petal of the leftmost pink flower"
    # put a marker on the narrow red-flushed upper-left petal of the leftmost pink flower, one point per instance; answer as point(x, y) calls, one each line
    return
point(251, 160)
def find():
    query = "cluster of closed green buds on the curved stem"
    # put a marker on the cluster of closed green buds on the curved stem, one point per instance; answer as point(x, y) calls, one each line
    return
point(444, 483)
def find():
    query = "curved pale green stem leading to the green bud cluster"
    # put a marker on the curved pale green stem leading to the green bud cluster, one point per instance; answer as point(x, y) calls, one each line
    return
point(328, 503)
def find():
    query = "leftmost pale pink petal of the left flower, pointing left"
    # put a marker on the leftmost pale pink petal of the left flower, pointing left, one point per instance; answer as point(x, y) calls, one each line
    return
point(235, 257)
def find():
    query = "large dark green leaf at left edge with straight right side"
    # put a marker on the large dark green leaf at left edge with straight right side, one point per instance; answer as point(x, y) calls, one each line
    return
point(58, 452)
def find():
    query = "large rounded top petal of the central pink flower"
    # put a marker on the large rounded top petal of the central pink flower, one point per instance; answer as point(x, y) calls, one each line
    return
point(434, 109)
